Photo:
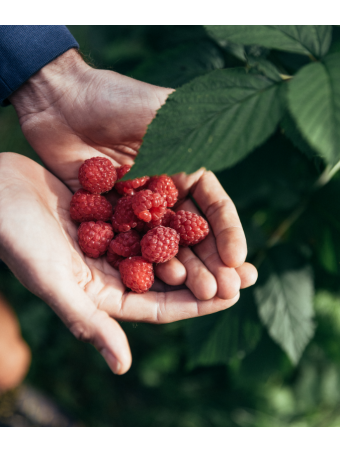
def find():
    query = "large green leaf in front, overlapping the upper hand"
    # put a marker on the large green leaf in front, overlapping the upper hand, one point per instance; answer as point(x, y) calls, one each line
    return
point(214, 121)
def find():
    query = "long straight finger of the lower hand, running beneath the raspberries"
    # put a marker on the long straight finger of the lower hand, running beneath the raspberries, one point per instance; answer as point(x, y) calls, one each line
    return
point(160, 307)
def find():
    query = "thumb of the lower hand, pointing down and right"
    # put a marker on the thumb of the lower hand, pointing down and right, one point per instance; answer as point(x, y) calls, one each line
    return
point(93, 325)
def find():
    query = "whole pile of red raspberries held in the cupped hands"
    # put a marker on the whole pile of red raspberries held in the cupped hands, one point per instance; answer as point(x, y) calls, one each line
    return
point(141, 230)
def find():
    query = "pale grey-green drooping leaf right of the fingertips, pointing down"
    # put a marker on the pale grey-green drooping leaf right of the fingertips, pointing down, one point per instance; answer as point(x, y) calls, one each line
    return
point(284, 294)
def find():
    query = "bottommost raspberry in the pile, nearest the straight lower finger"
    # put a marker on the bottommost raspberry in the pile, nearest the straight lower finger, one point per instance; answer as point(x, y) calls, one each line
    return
point(137, 274)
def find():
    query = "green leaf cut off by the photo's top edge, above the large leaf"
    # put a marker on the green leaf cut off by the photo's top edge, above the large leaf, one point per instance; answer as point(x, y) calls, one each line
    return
point(307, 39)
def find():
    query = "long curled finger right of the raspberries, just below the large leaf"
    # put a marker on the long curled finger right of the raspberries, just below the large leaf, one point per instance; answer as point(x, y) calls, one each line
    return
point(222, 216)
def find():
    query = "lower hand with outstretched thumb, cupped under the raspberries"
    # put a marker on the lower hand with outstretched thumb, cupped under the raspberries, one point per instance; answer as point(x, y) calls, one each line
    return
point(38, 241)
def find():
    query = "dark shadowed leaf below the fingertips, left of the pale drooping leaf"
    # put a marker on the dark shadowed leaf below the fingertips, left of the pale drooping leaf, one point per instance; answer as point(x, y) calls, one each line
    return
point(218, 338)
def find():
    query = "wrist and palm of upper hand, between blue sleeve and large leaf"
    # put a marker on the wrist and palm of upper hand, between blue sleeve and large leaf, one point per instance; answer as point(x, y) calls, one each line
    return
point(70, 112)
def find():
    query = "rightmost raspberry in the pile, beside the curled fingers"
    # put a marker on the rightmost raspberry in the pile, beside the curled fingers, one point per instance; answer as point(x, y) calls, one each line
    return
point(191, 227)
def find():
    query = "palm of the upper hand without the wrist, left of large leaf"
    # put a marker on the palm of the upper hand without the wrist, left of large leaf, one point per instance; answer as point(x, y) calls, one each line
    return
point(104, 114)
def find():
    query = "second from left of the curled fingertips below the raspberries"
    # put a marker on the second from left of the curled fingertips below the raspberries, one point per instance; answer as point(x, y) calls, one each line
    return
point(199, 279)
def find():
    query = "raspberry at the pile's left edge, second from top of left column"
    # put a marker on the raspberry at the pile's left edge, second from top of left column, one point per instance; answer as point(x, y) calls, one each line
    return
point(86, 206)
